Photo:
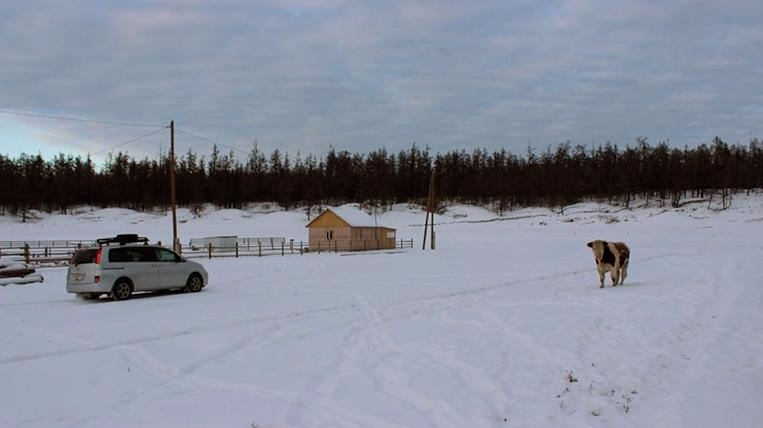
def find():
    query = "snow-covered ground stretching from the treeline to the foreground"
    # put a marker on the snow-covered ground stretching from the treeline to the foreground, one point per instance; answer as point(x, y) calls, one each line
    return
point(503, 325)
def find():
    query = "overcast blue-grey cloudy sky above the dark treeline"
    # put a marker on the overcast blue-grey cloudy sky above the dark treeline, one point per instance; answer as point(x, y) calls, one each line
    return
point(306, 75)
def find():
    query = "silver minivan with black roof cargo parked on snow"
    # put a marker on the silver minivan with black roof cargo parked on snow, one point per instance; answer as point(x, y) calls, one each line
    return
point(127, 263)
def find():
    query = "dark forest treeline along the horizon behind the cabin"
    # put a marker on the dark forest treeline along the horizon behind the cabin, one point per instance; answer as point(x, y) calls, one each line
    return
point(554, 177)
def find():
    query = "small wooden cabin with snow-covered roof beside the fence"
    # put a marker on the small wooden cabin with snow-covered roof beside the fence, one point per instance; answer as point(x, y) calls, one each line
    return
point(348, 229)
